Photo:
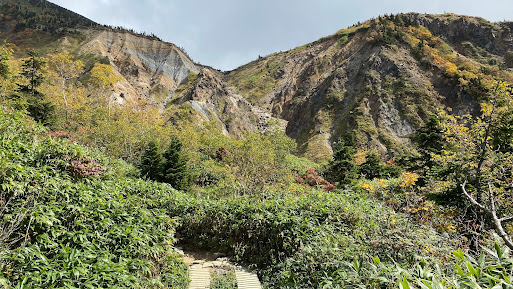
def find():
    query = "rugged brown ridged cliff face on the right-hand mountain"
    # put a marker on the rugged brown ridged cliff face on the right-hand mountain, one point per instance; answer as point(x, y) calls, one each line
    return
point(327, 89)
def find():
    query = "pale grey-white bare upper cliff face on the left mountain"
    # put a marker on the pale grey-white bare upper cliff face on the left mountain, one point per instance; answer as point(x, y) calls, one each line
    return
point(151, 69)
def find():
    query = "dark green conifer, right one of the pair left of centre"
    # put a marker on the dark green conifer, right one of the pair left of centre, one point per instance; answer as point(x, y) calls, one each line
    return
point(174, 167)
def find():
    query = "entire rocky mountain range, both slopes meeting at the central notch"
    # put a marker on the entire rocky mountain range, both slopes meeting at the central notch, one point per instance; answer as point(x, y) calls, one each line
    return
point(378, 80)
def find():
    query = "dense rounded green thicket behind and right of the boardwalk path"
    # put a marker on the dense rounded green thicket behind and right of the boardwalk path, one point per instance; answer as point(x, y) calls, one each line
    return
point(307, 241)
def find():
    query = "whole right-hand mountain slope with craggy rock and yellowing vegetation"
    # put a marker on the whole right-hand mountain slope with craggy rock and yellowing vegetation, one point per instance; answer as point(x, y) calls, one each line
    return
point(379, 80)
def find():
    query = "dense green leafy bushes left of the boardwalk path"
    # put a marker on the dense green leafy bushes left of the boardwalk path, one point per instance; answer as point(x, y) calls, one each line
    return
point(76, 224)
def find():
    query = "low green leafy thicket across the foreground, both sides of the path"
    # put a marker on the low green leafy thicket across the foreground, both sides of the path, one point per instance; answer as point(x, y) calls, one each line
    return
point(77, 219)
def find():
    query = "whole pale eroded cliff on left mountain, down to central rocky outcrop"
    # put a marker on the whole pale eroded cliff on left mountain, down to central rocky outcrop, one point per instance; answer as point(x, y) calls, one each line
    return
point(154, 71)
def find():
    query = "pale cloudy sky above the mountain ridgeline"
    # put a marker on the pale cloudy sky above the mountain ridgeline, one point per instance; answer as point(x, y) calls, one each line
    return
point(228, 33)
